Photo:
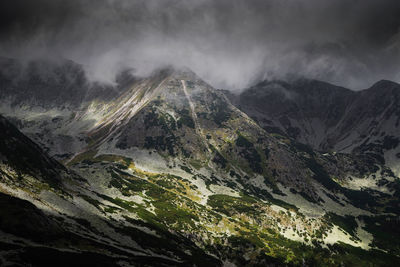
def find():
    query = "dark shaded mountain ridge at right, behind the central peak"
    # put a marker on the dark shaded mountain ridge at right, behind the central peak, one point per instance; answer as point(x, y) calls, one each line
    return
point(329, 118)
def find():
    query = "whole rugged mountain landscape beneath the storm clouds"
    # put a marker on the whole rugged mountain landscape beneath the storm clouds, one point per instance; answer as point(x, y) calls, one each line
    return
point(212, 177)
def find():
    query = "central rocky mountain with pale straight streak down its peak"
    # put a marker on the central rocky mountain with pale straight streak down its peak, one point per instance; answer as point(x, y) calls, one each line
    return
point(169, 156)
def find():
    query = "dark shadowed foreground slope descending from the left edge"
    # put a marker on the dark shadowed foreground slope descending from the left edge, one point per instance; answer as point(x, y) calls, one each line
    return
point(50, 217)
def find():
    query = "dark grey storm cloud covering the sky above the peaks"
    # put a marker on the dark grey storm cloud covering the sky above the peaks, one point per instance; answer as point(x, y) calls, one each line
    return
point(229, 43)
